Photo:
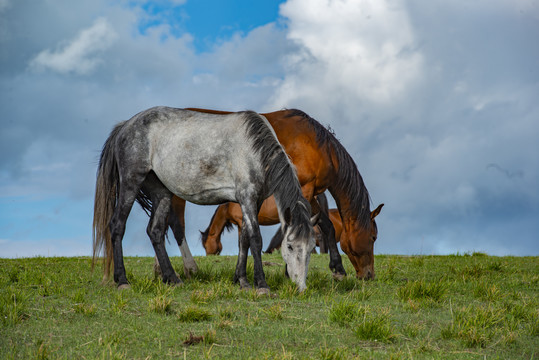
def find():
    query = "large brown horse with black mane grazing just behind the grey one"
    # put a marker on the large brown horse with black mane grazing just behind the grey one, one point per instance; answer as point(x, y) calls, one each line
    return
point(322, 163)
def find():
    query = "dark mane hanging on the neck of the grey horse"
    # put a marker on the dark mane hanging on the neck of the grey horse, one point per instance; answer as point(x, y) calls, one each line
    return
point(281, 178)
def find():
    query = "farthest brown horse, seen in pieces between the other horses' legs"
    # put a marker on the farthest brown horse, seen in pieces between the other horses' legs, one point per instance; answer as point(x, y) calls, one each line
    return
point(225, 217)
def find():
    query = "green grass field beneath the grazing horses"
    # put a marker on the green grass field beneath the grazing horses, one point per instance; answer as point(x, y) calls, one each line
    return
point(420, 307)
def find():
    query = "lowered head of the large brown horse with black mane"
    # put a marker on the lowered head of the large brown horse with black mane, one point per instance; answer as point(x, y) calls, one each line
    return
point(360, 250)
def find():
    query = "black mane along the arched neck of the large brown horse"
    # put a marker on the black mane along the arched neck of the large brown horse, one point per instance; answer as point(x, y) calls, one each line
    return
point(349, 180)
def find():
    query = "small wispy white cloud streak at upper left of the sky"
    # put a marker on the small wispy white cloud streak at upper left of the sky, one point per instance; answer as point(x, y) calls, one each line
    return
point(80, 55)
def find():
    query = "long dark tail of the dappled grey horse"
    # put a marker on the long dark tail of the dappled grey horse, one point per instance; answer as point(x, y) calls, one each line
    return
point(106, 189)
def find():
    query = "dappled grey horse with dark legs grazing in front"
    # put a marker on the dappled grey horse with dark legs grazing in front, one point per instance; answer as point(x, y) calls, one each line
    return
point(205, 159)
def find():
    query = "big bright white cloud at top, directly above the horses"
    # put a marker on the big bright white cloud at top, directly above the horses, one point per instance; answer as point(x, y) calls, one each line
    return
point(360, 50)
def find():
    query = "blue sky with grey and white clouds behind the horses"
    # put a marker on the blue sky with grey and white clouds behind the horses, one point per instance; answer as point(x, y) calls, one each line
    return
point(436, 101)
